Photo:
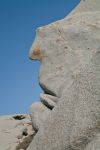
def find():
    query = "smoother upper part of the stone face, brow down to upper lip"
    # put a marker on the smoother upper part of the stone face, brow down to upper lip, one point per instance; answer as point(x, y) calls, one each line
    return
point(63, 48)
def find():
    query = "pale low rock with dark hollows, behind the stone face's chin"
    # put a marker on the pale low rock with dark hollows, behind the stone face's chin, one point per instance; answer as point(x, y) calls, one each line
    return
point(15, 132)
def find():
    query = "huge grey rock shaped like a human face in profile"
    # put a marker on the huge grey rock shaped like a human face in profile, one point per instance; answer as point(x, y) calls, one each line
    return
point(69, 51)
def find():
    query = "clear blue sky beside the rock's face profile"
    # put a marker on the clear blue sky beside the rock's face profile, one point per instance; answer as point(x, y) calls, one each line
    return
point(19, 75)
